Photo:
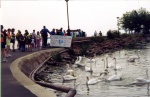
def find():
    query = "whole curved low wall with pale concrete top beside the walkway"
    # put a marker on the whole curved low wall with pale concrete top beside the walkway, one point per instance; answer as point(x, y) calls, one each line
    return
point(23, 66)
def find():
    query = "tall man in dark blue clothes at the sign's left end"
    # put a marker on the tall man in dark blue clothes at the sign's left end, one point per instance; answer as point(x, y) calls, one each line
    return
point(44, 32)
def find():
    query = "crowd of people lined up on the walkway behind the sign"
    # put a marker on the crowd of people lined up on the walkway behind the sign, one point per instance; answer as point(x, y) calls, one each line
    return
point(27, 41)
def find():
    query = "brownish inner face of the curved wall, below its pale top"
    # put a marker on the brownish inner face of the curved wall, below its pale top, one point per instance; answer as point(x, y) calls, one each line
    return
point(32, 61)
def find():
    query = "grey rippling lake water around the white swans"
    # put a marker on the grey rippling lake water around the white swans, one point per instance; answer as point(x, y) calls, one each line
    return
point(129, 71)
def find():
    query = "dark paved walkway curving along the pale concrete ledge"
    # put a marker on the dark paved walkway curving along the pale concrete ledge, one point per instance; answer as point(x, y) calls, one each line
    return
point(10, 86)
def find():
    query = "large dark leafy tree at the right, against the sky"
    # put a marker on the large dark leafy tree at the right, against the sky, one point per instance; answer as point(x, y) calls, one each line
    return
point(136, 21)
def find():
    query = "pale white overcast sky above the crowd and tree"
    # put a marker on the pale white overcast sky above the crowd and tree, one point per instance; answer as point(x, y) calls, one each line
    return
point(87, 15)
